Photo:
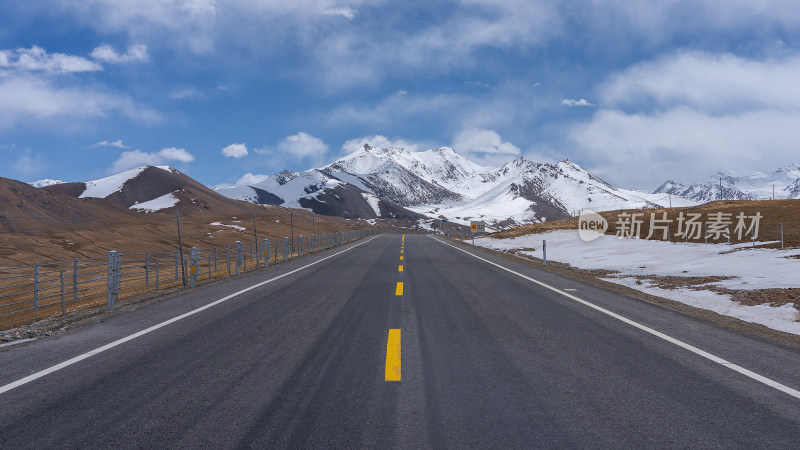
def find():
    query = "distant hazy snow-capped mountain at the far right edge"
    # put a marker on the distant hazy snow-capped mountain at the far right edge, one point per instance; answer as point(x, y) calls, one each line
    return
point(758, 186)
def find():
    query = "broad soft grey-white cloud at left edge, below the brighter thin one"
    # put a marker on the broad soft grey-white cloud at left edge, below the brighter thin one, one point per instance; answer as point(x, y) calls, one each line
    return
point(31, 98)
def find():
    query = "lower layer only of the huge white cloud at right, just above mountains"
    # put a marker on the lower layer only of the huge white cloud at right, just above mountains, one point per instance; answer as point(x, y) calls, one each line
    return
point(643, 150)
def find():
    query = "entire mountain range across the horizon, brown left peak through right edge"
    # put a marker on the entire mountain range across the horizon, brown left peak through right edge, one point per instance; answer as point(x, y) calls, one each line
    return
point(400, 184)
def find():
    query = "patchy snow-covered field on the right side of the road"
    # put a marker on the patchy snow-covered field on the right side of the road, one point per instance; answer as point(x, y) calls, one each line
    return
point(746, 268)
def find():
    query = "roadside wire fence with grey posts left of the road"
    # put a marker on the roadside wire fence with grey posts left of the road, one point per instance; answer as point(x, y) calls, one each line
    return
point(38, 291)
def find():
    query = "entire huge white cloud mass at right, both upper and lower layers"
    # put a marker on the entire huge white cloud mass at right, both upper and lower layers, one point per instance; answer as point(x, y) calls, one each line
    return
point(690, 114)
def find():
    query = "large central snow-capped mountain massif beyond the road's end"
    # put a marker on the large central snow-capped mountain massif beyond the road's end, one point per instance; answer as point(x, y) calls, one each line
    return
point(442, 183)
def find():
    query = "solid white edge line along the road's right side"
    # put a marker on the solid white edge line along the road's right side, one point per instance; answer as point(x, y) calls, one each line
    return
point(748, 373)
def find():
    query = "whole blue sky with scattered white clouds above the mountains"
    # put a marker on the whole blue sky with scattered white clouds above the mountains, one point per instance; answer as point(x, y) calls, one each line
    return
point(637, 92)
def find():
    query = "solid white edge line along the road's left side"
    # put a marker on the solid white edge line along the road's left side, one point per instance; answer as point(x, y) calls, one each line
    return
point(133, 336)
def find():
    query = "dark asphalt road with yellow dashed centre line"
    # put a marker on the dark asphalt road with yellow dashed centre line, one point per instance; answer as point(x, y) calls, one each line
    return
point(486, 359)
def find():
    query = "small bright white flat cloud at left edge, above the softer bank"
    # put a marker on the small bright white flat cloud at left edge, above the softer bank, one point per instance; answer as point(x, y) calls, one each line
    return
point(36, 59)
